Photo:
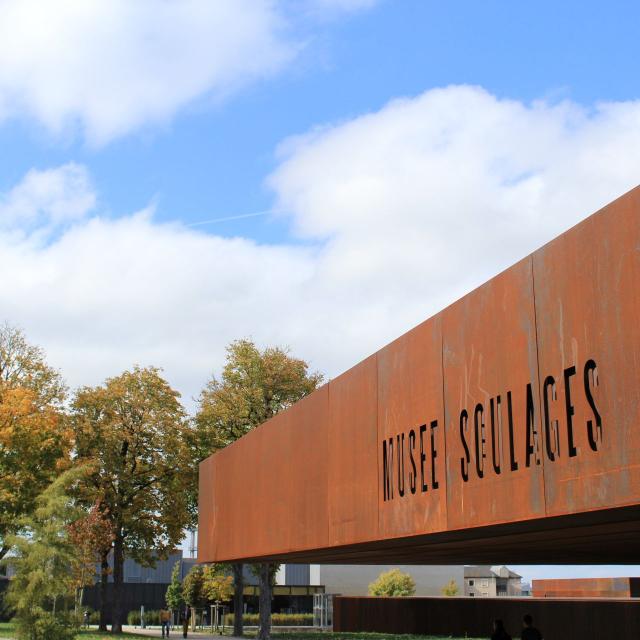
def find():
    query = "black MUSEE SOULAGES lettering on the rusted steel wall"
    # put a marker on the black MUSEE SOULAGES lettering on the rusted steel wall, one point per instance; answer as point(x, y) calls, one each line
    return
point(409, 460)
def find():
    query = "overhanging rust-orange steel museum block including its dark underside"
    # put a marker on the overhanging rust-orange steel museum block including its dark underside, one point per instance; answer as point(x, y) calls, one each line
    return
point(504, 429)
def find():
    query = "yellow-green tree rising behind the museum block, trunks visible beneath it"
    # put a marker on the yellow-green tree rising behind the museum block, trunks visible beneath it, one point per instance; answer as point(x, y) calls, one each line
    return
point(254, 386)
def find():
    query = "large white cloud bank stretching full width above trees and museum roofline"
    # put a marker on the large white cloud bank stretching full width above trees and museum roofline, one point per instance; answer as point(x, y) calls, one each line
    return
point(403, 211)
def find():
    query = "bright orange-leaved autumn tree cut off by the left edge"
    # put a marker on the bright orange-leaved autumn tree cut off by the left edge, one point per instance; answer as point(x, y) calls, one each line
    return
point(34, 437)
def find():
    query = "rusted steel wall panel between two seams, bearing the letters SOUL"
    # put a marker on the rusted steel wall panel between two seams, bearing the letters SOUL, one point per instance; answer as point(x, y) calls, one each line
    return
point(491, 369)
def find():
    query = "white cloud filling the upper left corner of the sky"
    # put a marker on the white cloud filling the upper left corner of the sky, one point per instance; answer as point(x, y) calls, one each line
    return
point(112, 66)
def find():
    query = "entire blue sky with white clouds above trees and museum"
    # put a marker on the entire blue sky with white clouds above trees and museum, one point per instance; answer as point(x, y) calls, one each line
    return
point(125, 126)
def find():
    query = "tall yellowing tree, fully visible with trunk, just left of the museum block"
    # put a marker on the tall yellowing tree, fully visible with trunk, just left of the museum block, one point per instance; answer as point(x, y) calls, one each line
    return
point(133, 432)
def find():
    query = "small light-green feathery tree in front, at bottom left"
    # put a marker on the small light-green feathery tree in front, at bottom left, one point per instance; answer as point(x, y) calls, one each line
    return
point(43, 586)
